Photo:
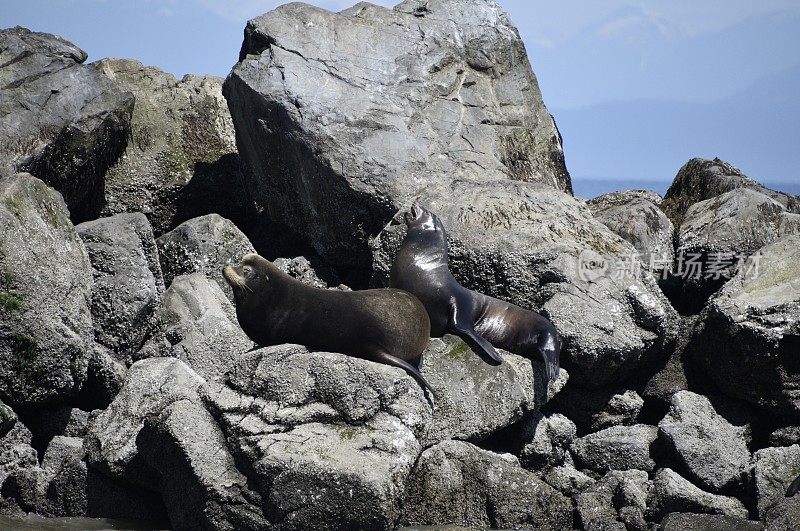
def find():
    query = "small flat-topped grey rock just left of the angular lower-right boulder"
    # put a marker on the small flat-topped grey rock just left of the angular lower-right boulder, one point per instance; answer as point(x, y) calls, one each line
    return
point(617, 448)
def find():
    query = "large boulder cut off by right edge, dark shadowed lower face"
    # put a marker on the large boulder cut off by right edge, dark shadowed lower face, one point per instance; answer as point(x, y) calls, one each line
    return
point(753, 324)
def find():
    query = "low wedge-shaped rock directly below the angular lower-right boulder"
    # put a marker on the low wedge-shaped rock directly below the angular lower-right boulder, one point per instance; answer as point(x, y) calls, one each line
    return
point(671, 493)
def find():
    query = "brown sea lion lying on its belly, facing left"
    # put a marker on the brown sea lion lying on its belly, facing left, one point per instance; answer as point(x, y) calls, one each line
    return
point(384, 325)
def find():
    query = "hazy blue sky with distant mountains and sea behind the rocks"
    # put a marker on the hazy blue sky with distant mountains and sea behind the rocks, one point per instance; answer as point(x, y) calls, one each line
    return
point(637, 87)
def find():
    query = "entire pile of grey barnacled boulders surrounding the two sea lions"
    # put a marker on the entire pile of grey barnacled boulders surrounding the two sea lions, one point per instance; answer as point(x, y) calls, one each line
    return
point(129, 392)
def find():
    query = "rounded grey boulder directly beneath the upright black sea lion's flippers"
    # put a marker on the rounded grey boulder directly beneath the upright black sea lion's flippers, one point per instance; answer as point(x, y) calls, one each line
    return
point(475, 399)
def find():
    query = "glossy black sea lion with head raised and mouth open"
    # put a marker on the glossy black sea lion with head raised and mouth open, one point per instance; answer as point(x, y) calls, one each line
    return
point(483, 322)
